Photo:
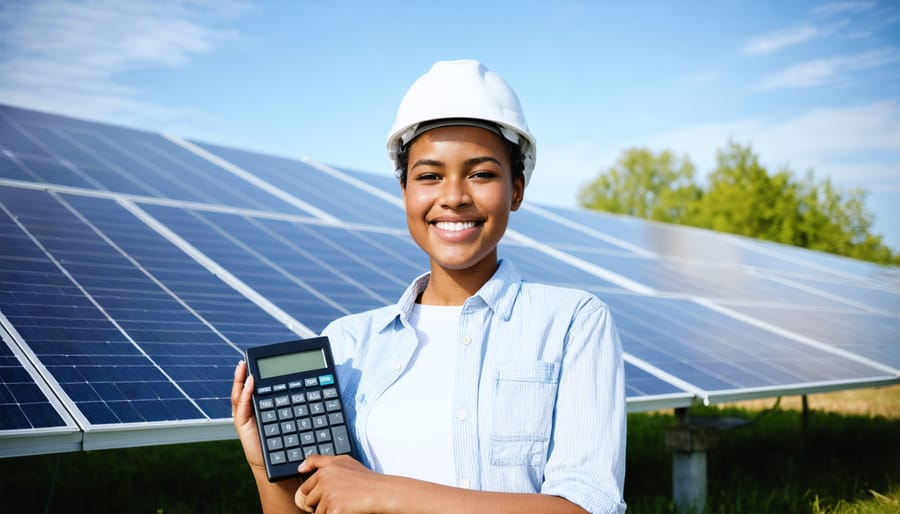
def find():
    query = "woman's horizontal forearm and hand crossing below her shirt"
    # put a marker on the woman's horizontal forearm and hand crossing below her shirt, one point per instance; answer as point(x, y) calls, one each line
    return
point(341, 484)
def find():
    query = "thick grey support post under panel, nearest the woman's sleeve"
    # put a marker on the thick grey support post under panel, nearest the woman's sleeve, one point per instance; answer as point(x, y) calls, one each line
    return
point(689, 444)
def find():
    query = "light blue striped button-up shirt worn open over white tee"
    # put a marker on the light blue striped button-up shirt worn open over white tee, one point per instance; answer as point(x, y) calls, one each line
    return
point(539, 389)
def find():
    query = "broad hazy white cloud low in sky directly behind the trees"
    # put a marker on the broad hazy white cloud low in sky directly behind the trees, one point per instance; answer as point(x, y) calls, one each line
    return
point(855, 146)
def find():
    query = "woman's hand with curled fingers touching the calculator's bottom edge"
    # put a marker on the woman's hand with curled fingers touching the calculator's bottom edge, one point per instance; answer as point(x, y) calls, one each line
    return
point(342, 484)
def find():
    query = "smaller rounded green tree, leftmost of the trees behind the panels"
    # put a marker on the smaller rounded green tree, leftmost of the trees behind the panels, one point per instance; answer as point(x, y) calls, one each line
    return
point(659, 187)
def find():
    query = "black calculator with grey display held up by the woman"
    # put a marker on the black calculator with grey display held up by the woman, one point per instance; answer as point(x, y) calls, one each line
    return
point(297, 404)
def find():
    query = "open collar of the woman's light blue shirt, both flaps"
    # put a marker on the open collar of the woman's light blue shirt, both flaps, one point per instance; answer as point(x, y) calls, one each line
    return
point(499, 293)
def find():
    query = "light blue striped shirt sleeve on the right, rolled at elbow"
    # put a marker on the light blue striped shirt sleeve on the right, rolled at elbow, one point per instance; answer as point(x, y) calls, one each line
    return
point(586, 461)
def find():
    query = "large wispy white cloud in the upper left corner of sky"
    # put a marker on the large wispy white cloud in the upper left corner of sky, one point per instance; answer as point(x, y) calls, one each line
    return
point(65, 56)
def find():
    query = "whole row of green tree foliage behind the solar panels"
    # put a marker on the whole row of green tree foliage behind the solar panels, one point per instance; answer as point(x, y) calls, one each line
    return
point(741, 197)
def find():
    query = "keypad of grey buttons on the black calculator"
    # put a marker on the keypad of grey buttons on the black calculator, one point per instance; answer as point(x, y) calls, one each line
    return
point(302, 419)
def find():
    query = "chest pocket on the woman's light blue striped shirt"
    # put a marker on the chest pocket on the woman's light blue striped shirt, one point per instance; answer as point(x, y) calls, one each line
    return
point(524, 399)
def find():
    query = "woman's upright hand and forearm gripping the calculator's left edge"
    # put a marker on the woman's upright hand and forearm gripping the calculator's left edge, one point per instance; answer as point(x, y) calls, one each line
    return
point(275, 497)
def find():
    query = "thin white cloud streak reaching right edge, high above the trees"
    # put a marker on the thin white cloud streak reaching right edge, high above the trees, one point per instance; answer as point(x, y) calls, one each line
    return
point(823, 71)
